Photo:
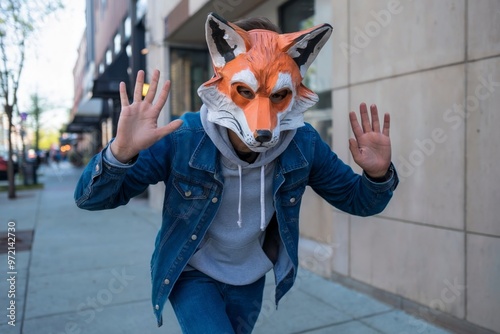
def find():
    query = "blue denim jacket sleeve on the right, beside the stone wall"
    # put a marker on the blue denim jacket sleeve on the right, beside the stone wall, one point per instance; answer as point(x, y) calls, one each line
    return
point(338, 184)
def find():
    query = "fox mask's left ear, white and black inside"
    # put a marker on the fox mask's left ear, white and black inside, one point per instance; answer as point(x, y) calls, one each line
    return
point(223, 40)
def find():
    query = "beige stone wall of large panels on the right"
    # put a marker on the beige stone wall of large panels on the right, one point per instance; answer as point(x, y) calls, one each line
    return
point(435, 66)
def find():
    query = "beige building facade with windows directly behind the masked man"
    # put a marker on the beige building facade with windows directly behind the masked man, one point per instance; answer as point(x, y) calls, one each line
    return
point(435, 67)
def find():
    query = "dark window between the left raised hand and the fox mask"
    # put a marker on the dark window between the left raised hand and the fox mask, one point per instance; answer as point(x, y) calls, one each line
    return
point(188, 69)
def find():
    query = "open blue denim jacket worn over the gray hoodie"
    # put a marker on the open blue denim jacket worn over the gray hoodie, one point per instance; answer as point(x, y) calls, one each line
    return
point(188, 163)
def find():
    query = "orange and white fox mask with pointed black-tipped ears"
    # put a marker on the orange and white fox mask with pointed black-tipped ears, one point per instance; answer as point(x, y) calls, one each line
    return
point(257, 89)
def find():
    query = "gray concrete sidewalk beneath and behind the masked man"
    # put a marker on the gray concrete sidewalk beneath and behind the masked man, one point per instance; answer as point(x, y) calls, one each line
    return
point(88, 272)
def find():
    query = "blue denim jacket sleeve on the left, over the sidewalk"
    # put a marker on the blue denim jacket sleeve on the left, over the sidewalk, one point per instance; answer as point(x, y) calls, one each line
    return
point(104, 185)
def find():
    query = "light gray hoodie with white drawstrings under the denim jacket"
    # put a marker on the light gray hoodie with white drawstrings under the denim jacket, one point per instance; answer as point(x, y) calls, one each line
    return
point(231, 251)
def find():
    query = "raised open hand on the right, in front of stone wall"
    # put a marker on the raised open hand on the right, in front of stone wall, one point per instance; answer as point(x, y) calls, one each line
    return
point(371, 148)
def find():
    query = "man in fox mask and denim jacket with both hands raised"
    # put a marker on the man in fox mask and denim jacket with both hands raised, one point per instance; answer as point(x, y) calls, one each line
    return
point(235, 173)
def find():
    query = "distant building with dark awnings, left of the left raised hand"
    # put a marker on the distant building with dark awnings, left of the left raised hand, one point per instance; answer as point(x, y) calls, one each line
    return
point(110, 51)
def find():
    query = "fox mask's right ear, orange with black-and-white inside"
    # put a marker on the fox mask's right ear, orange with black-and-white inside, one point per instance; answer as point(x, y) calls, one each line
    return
point(304, 46)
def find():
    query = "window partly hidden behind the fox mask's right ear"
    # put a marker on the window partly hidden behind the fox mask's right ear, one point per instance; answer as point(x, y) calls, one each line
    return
point(296, 15)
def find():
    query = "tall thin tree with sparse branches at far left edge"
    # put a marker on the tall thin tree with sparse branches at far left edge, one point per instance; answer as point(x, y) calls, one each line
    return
point(19, 20)
